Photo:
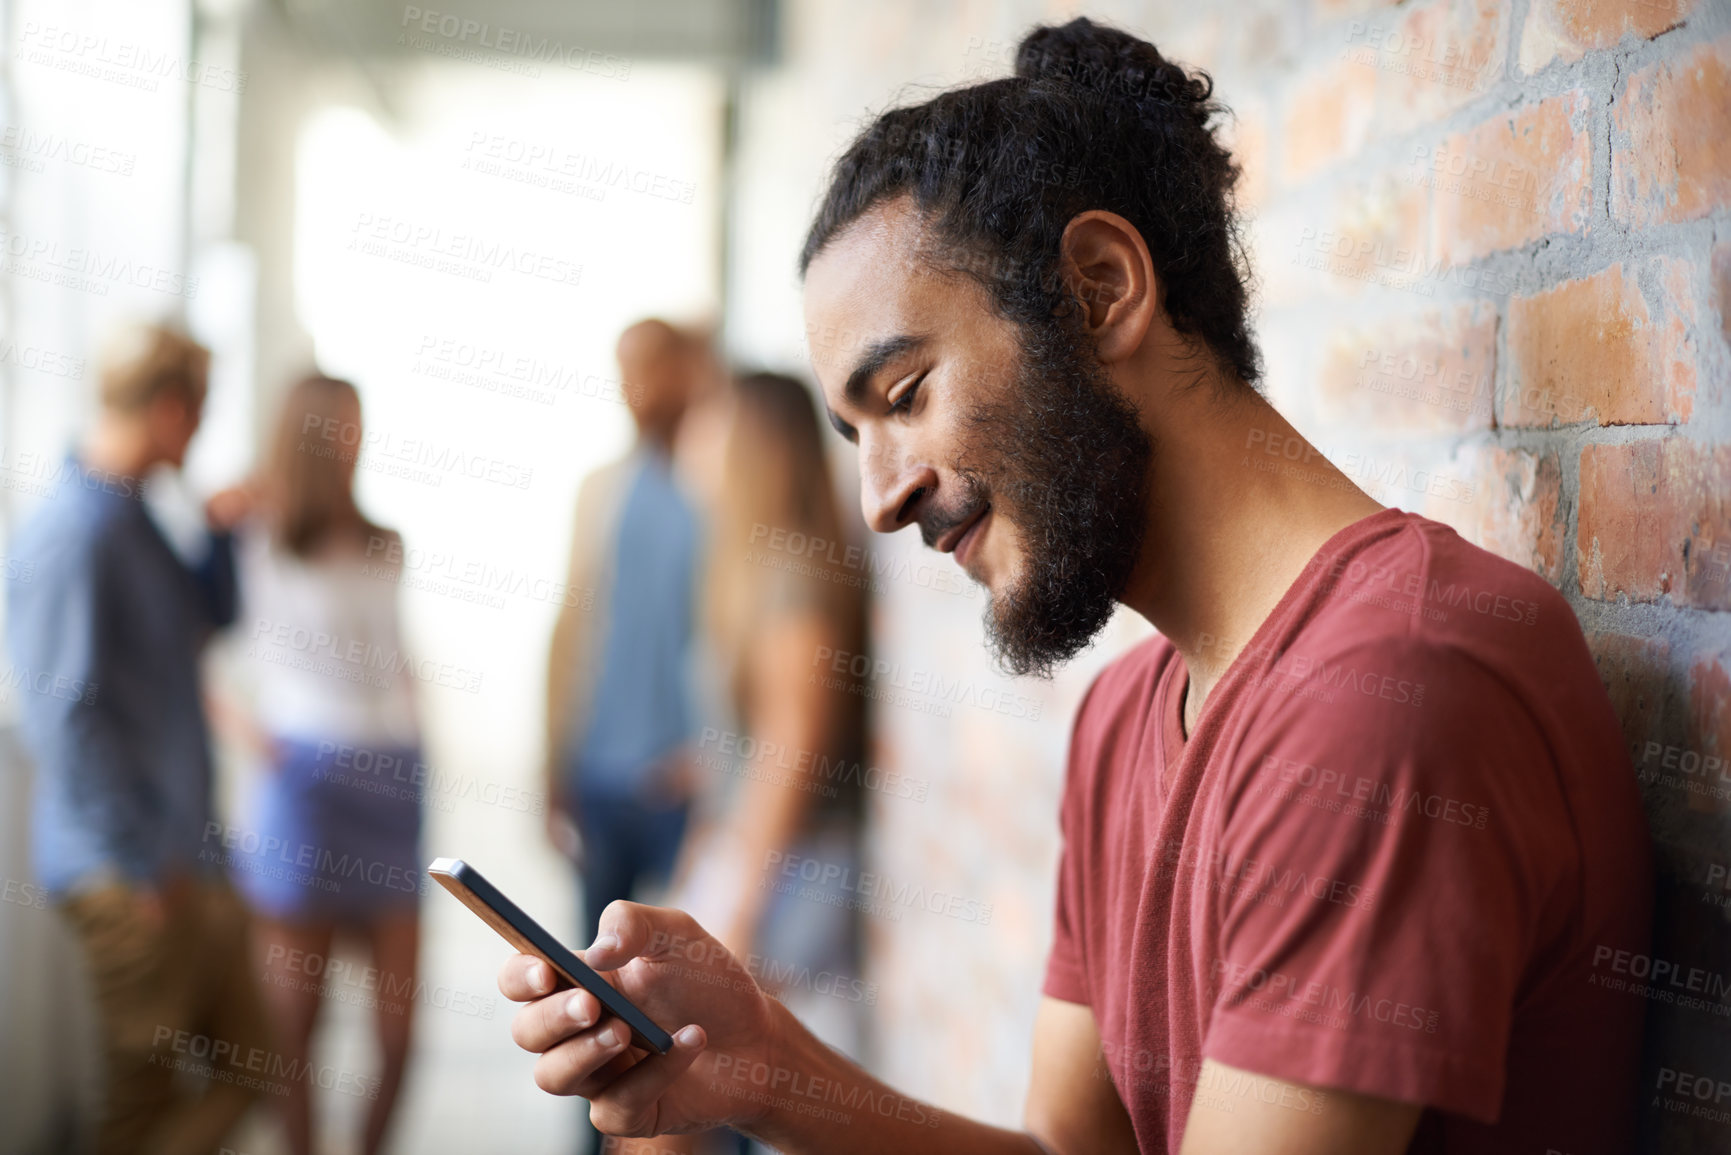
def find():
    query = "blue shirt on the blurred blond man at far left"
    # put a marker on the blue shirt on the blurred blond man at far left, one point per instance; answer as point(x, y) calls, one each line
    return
point(105, 642)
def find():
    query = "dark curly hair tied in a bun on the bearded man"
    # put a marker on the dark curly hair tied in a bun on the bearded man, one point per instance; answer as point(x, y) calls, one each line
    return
point(1093, 119)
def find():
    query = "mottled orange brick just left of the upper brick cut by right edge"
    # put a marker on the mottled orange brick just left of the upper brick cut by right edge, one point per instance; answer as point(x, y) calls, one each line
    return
point(1510, 181)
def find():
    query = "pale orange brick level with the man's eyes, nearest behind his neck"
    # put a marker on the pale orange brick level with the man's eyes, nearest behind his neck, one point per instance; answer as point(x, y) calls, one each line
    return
point(1432, 373)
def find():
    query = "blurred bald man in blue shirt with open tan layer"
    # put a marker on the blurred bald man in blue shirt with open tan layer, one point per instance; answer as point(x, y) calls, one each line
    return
point(621, 713)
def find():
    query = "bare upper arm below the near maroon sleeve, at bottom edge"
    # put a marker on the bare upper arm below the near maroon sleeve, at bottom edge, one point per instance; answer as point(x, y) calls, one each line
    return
point(1239, 1111)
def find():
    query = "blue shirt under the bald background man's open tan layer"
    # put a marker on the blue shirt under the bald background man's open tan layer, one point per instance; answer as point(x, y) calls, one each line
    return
point(643, 706)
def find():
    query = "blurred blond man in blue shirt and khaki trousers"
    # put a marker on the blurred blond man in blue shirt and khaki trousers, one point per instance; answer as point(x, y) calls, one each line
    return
point(110, 638)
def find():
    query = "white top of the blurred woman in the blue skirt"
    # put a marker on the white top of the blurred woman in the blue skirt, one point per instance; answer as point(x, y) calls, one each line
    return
point(321, 647)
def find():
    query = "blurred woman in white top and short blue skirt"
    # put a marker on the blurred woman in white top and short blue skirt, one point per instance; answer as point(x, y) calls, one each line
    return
point(331, 839)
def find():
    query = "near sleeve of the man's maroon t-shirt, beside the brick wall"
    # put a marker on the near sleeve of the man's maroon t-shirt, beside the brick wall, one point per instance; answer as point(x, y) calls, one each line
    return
point(1387, 837)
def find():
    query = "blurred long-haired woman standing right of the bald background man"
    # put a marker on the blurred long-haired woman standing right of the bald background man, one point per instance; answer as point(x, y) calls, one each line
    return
point(780, 759)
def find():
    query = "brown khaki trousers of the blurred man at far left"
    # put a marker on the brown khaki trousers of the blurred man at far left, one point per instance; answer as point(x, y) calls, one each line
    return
point(181, 1016)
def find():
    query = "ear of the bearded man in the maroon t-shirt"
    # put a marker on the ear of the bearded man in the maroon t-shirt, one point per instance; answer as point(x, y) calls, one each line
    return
point(1107, 268)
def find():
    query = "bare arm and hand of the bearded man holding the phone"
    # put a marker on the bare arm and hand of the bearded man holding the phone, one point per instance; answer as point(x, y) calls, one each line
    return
point(745, 1061)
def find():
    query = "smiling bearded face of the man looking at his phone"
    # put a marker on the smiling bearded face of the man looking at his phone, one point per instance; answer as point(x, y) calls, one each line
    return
point(1010, 449)
